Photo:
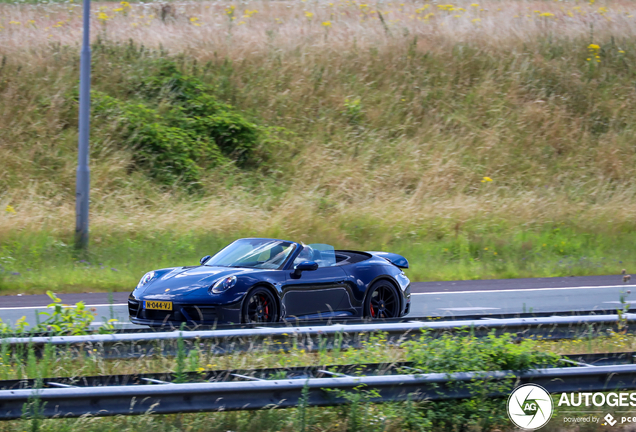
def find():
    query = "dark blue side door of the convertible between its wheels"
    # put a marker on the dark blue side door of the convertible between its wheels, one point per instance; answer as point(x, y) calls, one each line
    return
point(321, 291)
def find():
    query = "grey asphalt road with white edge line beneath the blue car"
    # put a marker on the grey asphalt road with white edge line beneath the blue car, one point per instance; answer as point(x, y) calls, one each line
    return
point(488, 297)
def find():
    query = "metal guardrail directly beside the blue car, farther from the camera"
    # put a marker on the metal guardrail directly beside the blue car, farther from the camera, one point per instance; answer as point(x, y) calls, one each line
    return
point(314, 338)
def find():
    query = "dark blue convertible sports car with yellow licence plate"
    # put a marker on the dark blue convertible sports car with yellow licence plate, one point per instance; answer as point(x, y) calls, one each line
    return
point(266, 280)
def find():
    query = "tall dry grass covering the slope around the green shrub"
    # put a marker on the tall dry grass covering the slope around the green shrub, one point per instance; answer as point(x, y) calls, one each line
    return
point(447, 96)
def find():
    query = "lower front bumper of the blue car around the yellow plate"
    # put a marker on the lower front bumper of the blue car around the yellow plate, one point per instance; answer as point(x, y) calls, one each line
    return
point(189, 314)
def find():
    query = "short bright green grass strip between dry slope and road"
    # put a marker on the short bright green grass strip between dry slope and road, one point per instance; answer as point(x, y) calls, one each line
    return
point(44, 262)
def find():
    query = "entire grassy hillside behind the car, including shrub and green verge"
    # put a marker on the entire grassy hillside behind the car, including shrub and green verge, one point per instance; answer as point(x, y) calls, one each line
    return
point(479, 140)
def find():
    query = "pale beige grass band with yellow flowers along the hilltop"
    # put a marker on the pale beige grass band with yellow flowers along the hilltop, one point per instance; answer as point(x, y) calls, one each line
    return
point(203, 29)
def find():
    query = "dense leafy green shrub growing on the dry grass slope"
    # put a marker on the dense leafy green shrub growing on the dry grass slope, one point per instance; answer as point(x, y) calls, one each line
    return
point(178, 129)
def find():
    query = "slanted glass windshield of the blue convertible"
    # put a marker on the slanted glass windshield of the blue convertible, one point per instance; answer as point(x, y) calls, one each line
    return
point(254, 253)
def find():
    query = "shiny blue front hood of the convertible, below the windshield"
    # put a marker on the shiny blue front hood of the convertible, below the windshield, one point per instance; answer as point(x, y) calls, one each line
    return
point(182, 281)
